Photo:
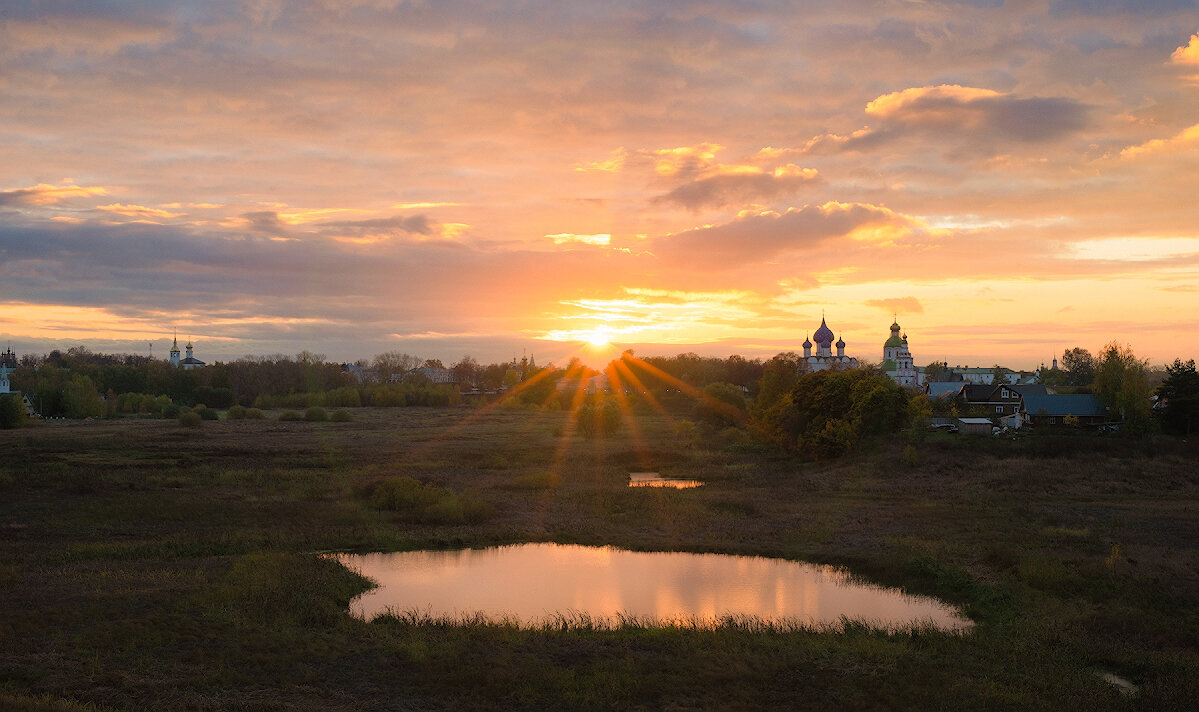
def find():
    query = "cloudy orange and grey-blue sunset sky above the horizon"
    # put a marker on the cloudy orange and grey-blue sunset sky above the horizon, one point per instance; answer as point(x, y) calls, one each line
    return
point(1008, 178)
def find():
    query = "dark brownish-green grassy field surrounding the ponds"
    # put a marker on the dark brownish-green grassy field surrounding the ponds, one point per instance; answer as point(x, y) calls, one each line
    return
point(150, 566)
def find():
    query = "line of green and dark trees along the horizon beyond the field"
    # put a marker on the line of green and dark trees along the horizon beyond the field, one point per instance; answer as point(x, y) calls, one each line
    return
point(821, 414)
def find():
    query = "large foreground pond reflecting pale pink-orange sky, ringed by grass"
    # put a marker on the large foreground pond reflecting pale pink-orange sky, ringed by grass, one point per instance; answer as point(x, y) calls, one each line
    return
point(535, 583)
